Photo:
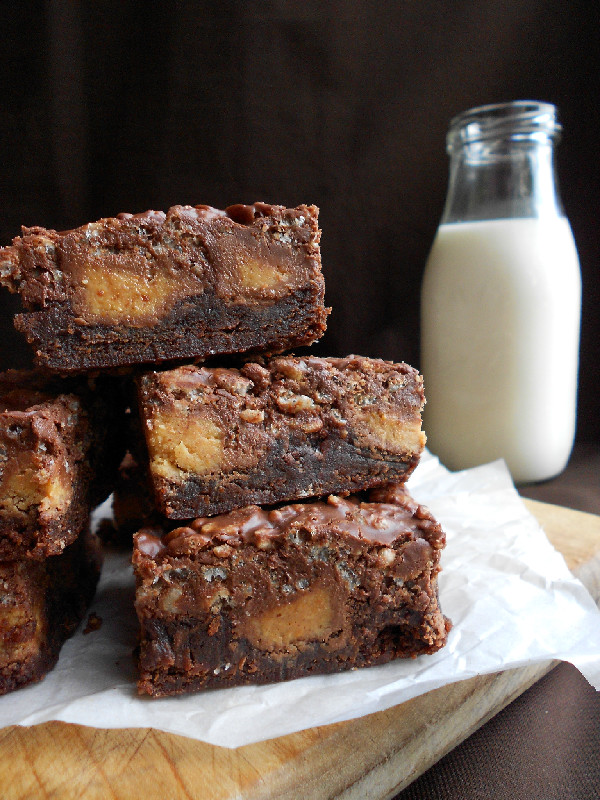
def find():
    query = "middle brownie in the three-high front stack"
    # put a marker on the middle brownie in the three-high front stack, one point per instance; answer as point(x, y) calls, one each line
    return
point(278, 430)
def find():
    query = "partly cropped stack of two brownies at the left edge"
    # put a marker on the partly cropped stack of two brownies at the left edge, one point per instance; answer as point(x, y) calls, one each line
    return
point(55, 465)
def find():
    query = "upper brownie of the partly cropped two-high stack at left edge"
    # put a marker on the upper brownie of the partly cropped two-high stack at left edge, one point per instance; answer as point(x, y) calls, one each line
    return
point(60, 445)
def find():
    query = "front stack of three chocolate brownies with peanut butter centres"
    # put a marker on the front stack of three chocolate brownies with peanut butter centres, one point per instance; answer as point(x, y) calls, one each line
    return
point(276, 536)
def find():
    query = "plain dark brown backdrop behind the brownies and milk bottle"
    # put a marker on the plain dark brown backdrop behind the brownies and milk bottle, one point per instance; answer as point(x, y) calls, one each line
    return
point(117, 106)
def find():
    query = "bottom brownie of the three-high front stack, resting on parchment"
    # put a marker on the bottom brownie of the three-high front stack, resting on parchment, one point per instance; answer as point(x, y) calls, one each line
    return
point(259, 595)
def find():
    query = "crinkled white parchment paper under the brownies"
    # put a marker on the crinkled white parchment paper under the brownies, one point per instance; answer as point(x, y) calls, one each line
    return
point(509, 594)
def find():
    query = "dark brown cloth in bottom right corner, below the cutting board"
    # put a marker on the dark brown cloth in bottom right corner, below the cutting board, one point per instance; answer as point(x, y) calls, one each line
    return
point(543, 746)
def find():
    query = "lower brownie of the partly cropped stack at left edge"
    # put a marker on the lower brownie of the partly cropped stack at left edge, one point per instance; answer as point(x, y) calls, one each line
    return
point(41, 605)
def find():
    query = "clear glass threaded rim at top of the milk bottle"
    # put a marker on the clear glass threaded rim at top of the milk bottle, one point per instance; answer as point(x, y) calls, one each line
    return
point(517, 119)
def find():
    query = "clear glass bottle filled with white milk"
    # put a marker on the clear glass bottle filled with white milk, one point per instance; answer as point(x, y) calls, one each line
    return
point(501, 299)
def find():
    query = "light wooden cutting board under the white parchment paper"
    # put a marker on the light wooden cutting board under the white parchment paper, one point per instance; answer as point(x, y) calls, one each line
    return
point(374, 757)
